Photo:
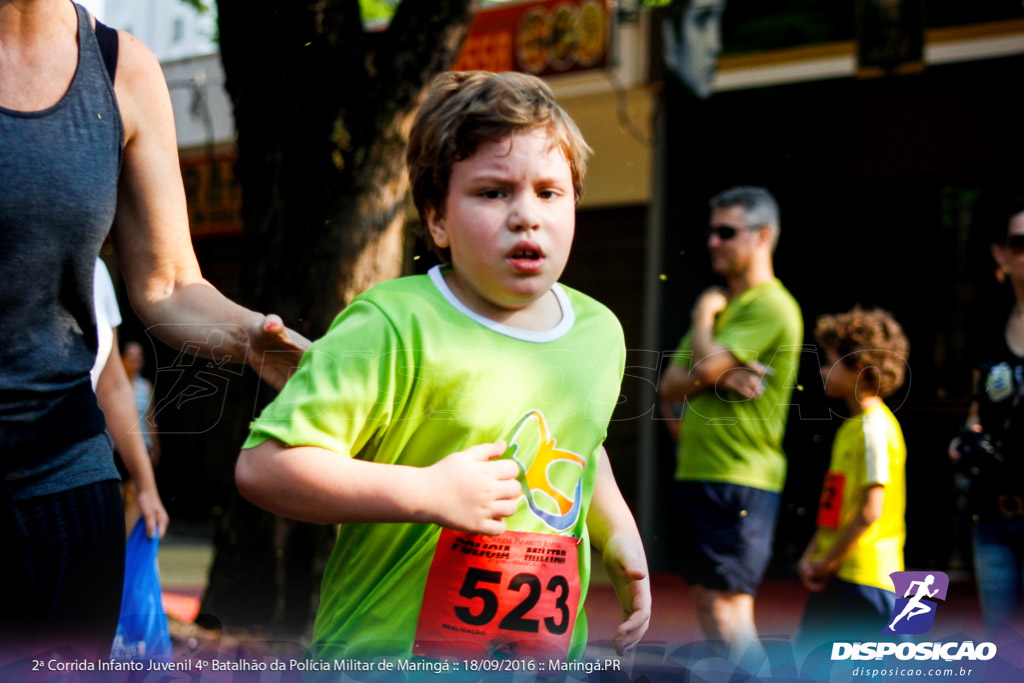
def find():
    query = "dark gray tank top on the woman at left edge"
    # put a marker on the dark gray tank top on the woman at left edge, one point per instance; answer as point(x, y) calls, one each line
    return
point(59, 178)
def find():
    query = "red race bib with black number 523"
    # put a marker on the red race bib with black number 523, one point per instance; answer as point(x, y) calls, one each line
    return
point(515, 595)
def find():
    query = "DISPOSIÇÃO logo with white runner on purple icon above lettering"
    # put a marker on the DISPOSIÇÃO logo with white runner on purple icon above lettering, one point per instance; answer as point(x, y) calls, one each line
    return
point(913, 615)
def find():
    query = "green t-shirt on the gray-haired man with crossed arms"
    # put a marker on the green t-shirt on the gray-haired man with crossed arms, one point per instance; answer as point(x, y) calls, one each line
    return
point(726, 438)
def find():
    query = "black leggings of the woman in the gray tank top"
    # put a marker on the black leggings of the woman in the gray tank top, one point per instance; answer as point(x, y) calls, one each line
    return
point(64, 579)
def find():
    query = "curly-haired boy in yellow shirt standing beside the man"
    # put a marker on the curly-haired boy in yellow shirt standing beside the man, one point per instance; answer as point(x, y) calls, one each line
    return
point(861, 535)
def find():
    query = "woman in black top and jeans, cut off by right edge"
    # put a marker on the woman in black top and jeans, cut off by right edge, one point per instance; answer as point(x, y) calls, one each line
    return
point(992, 451)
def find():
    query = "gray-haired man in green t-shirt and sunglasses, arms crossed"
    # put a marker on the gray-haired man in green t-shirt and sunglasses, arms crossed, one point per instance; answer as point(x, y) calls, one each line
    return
point(736, 370)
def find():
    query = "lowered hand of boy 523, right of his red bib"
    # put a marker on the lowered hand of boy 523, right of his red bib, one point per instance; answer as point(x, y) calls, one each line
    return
point(628, 571)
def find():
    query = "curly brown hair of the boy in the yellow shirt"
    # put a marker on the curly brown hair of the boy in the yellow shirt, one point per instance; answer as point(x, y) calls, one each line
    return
point(870, 340)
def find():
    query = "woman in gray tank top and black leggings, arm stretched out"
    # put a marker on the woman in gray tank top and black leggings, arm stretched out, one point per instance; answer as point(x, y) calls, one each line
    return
point(83, 155)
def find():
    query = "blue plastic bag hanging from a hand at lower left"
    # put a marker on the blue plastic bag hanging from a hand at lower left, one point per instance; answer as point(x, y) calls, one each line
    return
point(143, 632)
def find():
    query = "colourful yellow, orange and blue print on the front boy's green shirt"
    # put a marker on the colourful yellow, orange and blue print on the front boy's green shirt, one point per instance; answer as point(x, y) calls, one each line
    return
point(551, 479)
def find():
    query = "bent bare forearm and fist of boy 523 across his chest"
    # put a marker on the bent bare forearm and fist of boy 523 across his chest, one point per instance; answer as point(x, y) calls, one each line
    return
point(467, 491)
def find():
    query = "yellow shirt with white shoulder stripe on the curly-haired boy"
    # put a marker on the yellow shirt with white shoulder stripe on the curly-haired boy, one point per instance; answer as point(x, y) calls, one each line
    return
point(869, 450)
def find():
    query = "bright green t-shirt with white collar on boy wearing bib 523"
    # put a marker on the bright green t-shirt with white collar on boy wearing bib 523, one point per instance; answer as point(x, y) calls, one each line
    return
point(407, 375)
